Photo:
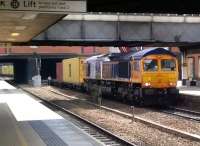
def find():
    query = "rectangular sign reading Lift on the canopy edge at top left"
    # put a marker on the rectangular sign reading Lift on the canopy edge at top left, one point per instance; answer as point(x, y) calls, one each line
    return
point(44, 5)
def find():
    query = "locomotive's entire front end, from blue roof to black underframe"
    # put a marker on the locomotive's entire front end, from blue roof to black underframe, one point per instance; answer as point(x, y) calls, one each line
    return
point(155, 71)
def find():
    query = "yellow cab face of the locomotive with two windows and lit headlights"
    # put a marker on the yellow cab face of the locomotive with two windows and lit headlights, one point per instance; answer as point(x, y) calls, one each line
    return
point(159, 71)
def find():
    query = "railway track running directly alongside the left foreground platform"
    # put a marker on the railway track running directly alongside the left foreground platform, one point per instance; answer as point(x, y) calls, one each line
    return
point(101, 134)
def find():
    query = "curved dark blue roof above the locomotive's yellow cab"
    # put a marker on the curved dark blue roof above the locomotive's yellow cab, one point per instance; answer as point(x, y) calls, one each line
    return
point(146, 52)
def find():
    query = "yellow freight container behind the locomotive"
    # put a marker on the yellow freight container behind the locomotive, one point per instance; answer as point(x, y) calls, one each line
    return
point(73, 70)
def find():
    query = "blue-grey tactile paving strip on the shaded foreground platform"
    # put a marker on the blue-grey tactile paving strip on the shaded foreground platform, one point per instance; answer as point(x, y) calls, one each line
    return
point(46, 134)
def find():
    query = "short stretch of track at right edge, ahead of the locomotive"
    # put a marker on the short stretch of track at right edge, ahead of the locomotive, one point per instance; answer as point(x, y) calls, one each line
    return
point(184, 113)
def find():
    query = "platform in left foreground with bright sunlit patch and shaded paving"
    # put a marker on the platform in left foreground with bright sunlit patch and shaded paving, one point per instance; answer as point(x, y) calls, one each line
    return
point(24, 121)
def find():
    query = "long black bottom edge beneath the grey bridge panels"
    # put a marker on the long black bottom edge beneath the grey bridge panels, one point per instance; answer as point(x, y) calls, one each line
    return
point(109, 43)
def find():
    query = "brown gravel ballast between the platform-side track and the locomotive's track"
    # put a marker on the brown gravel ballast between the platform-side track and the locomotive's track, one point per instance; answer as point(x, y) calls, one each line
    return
point(132, 131)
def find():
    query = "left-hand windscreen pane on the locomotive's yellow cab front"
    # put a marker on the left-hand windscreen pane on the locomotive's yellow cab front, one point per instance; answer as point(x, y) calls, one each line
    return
point(150, 65)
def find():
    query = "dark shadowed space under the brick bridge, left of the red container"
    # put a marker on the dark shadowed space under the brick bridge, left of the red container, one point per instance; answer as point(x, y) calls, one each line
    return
point(26, 66)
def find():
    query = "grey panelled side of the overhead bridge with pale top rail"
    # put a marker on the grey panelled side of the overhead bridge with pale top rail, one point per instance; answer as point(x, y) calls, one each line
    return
point(122, 30)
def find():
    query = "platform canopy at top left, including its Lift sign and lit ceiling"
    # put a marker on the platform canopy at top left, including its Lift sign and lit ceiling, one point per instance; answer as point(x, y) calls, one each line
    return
point(21, 20)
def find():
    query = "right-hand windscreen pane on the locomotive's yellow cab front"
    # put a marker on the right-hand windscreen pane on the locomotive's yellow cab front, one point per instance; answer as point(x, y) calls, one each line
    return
point(168, 65)
